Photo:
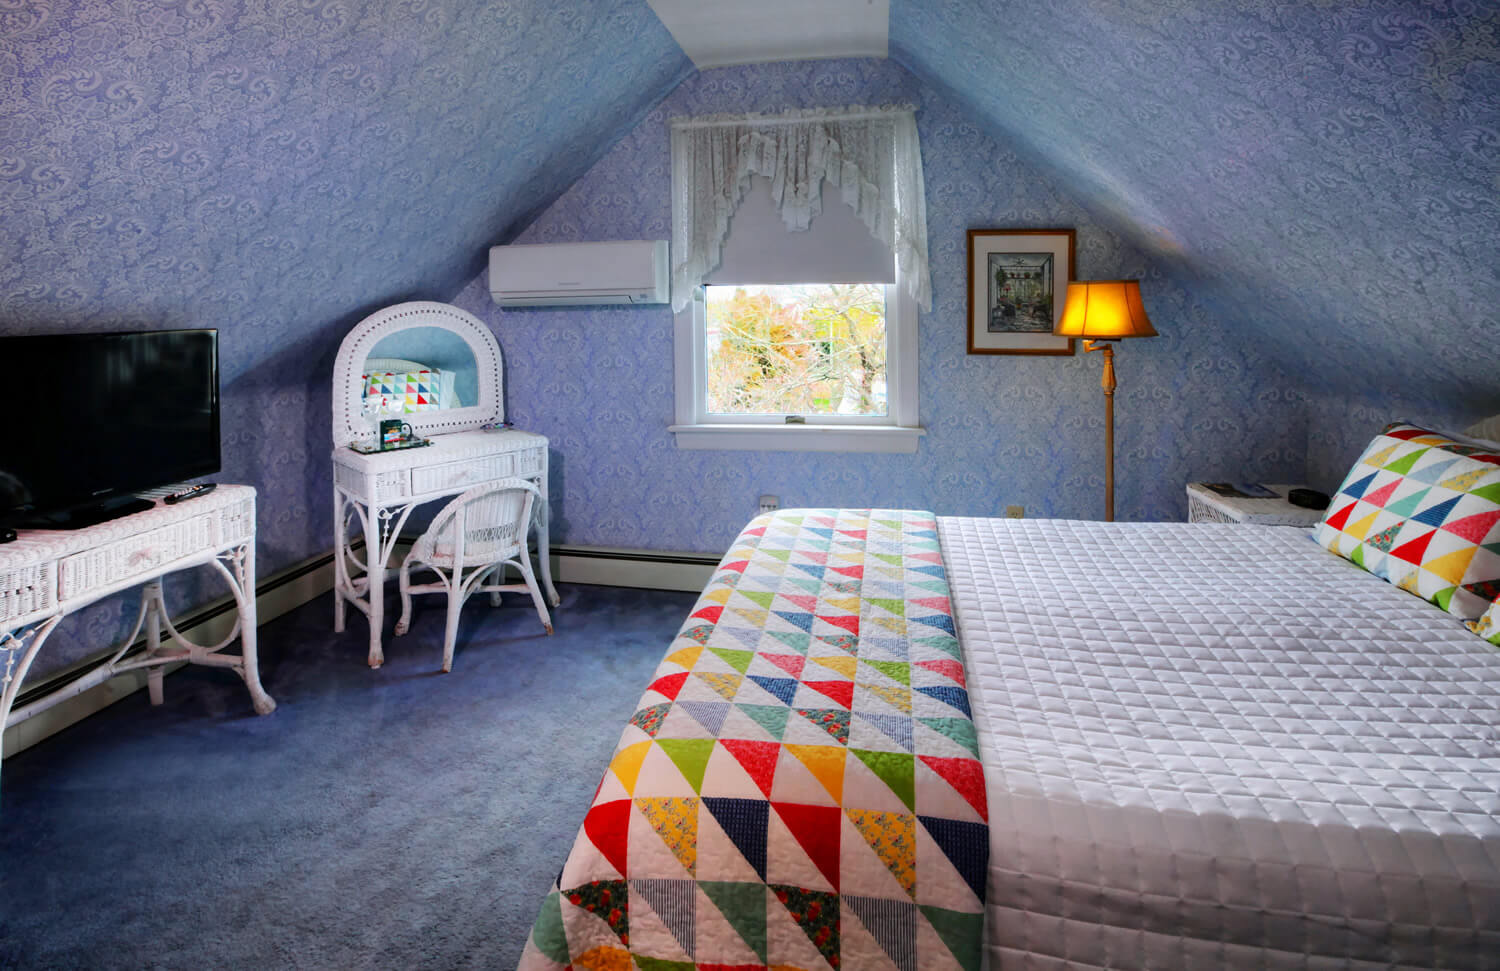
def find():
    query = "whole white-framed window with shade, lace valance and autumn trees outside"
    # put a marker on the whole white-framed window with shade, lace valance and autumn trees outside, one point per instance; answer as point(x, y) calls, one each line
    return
point(796, 322)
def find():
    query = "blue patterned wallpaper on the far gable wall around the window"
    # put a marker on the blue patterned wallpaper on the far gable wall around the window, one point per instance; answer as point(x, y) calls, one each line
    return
point(1201, 401)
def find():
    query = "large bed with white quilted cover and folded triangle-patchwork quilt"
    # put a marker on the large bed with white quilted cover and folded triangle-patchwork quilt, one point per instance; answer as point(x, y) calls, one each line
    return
point(1202, 747)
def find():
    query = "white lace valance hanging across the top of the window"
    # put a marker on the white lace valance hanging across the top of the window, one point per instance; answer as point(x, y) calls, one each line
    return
point(871, 154)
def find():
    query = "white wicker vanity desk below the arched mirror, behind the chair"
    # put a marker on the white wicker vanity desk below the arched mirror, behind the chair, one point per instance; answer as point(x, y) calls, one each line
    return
point(382, 490)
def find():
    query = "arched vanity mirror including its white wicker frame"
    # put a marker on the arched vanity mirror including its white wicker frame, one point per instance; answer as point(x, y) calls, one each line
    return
point(431, 365)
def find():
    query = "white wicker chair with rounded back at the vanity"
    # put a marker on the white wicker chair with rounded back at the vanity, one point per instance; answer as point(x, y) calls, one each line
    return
point(469, 546)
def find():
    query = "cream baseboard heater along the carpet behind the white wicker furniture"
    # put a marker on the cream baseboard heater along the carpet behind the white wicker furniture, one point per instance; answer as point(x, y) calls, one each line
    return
point(290, 589)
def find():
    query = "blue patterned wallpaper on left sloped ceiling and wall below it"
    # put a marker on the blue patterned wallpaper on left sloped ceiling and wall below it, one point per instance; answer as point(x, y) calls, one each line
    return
point(280, 169)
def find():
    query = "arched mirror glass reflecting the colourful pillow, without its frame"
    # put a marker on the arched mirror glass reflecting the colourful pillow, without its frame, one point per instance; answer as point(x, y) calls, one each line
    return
point(389, 374)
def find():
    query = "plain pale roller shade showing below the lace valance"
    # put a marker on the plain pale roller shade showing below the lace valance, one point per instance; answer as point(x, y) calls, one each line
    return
point(836, 248)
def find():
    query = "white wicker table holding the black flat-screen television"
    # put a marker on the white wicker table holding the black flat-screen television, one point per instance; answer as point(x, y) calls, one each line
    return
point(50, 574)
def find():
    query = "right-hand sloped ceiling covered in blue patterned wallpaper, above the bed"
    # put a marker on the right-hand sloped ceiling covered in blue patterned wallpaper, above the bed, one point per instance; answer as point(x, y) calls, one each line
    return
point(1324, 173)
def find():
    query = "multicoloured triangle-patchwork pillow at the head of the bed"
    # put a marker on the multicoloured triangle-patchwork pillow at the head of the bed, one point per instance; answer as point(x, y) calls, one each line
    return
point(1423, 513)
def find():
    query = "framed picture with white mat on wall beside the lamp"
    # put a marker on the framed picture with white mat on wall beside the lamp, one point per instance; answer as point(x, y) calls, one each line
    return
point(1018, 283)
